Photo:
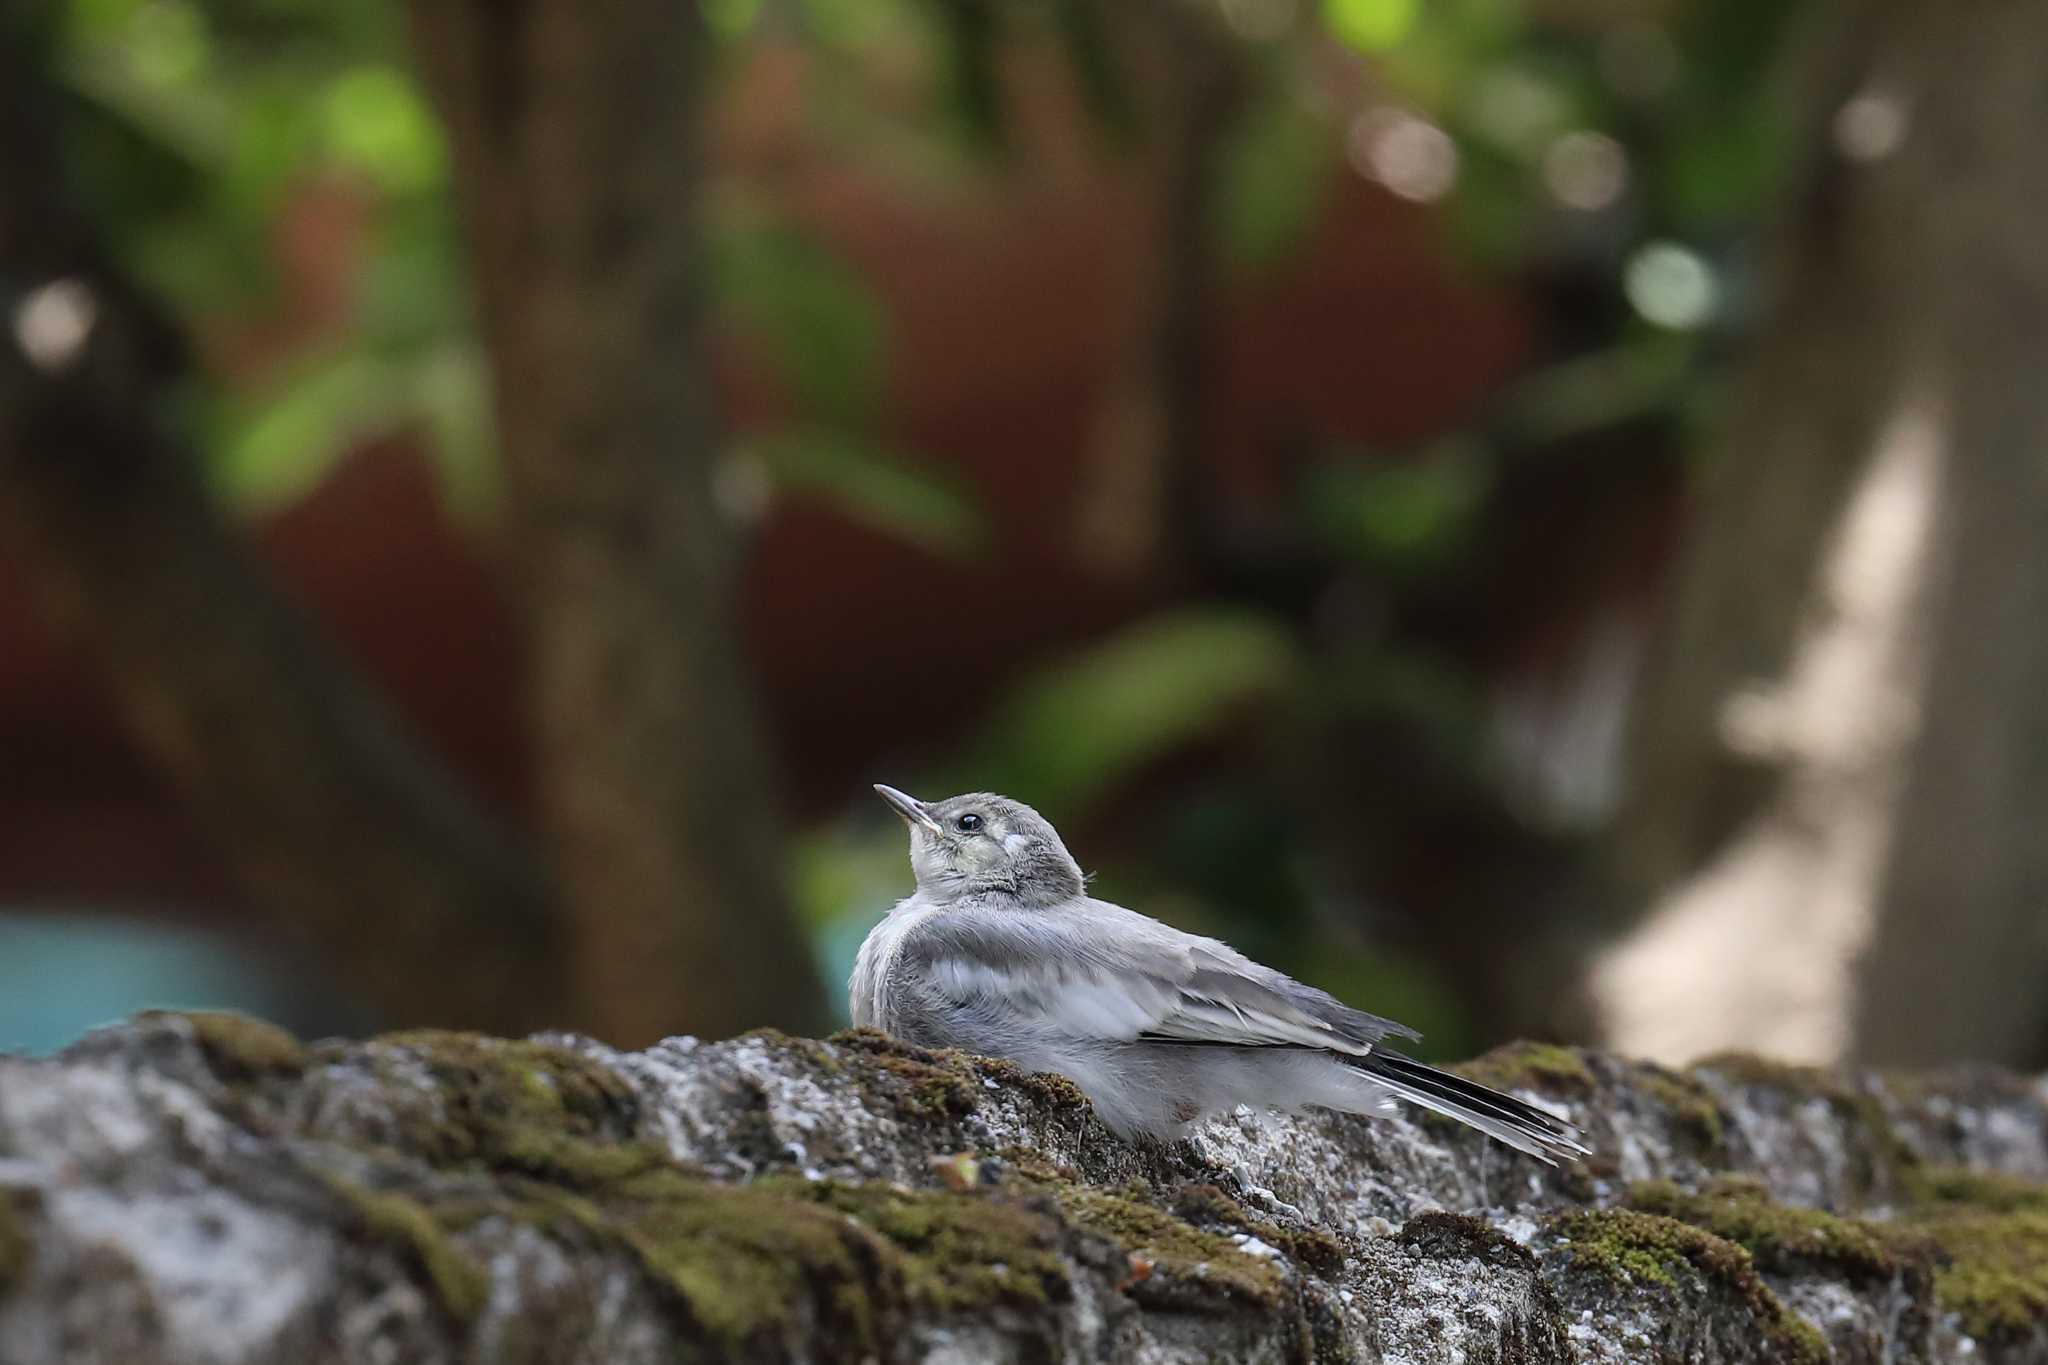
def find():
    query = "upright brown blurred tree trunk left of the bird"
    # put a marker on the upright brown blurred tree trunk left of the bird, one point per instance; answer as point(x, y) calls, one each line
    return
point(579, 163)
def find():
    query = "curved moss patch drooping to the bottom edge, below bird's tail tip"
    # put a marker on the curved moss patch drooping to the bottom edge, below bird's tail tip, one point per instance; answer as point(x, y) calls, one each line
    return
point(1648, 1249)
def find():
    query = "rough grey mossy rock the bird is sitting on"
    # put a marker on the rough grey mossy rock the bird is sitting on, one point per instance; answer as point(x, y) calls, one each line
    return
point(204, 1188)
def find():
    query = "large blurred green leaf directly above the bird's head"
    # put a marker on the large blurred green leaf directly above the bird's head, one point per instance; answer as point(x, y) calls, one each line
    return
point(1076, 728)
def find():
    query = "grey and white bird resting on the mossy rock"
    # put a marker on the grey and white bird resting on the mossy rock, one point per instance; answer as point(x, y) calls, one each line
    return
point(1002, 953)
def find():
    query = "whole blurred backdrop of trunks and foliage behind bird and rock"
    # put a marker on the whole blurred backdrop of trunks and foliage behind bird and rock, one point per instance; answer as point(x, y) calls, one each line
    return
point(1521, 513)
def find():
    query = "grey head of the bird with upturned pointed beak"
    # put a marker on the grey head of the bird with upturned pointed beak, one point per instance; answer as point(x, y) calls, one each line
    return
point(986, 844)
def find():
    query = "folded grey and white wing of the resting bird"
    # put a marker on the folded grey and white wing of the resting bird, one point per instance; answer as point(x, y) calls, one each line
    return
point(1109, 973)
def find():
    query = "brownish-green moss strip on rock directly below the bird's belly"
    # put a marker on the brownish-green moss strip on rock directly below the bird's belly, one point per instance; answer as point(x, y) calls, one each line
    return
point(1175, 1262)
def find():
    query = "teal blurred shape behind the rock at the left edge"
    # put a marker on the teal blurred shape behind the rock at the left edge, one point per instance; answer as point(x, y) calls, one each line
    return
point(67, 973)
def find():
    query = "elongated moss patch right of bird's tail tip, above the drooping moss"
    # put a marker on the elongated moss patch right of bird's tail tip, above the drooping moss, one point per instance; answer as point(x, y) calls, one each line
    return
point(1783, 1239)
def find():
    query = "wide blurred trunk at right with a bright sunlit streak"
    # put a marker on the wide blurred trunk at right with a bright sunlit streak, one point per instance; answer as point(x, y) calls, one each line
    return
point(1844, 746)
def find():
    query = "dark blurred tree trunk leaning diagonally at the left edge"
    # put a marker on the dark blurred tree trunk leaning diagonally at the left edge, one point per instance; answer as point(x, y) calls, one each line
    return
point(331, 816)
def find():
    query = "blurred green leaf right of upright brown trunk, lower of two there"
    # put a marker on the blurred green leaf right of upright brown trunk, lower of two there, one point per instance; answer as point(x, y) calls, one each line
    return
point(876, 488)
